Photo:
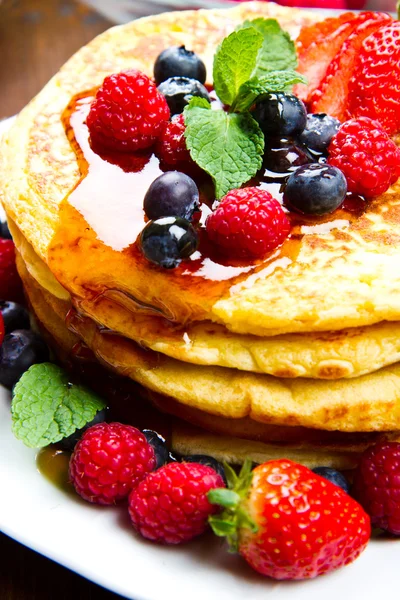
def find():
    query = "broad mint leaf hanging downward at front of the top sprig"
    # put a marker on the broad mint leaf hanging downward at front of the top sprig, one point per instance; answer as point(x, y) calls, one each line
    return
point(228, 146)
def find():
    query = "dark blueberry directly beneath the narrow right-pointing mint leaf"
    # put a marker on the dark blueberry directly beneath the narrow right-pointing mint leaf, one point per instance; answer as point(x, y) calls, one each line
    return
point(281, 115)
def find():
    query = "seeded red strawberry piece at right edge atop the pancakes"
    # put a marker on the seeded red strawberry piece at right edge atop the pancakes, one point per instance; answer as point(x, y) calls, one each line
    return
point(374, 89)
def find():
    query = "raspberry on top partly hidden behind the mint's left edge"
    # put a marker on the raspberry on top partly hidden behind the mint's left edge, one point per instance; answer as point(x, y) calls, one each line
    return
point(171, 145)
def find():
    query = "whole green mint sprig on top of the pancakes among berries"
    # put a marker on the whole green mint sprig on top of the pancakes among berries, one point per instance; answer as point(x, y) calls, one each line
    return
point(257, 58)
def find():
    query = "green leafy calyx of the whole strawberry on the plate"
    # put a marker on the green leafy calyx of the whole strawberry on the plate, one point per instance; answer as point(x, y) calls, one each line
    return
point(232, 499)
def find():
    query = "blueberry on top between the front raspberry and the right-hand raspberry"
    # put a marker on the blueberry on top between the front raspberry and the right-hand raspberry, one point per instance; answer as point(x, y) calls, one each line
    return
point(315, 189)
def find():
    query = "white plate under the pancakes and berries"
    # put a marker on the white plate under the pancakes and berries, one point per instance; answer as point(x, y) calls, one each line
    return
point(99, 543)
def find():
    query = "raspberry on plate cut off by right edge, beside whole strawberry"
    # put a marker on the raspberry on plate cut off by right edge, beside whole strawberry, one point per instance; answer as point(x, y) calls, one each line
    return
point(377, 485)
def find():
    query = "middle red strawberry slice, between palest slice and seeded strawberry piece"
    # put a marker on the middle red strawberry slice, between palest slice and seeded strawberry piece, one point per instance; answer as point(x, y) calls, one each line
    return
point(331, 97)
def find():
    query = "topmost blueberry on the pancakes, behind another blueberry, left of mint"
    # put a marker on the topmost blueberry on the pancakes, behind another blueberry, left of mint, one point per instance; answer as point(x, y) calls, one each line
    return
point(179, 62)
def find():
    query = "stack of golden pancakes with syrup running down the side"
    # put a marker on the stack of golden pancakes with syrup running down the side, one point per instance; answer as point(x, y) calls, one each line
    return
point(295, 356)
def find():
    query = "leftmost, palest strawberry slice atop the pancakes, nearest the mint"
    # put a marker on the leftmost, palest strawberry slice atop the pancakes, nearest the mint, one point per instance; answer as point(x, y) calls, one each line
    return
point(315, 60)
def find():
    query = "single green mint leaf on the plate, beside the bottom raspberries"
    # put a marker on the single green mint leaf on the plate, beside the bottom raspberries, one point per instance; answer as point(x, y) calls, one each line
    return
point(46, 407)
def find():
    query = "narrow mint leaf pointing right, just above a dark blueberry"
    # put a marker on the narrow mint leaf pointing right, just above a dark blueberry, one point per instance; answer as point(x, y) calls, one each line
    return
point(256, 88)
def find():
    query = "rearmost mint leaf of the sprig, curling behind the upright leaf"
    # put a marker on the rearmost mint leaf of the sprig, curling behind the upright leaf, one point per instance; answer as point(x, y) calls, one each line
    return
point(277, 53)
